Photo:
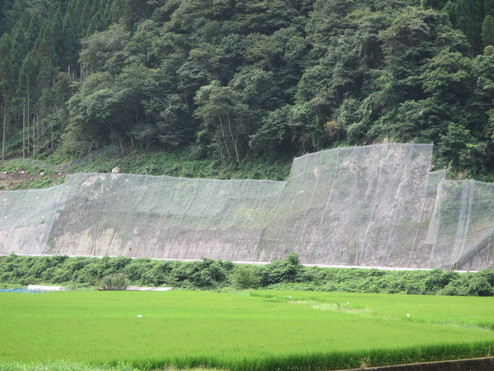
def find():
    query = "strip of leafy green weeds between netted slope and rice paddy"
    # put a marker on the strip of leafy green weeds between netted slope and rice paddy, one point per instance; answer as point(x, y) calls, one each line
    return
point(208, 274)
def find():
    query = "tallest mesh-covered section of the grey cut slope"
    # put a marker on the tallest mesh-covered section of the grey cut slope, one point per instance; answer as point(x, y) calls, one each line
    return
point(352, 206)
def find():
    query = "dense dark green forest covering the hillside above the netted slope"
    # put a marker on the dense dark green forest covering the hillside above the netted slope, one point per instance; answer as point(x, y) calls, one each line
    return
point(244, 79)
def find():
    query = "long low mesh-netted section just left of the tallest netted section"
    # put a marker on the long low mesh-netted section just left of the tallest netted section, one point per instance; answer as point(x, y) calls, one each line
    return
point(162, 217)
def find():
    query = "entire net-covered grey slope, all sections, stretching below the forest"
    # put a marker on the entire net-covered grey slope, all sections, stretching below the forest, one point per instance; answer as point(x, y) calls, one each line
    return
point(362, 206)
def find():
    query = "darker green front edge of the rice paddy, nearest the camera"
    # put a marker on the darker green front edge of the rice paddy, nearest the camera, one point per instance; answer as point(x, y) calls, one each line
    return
point(308, 361)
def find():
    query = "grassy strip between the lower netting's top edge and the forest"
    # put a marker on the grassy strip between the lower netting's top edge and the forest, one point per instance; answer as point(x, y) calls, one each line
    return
point(27, 174)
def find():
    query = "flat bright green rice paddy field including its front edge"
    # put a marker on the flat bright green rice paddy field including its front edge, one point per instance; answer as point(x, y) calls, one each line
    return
point(240, 331)
